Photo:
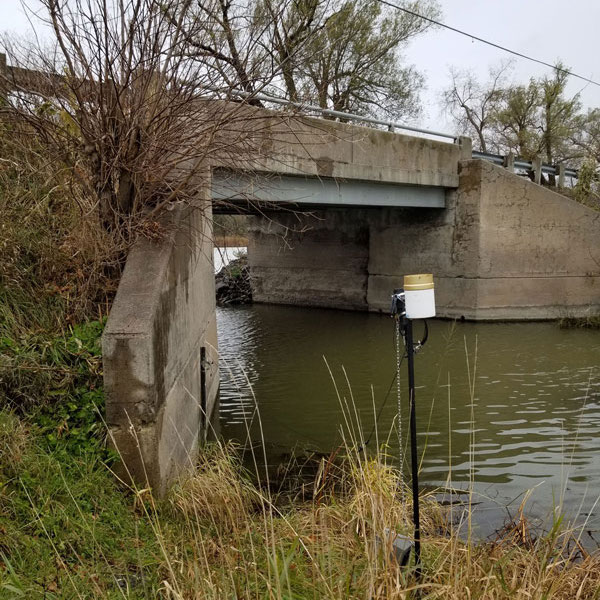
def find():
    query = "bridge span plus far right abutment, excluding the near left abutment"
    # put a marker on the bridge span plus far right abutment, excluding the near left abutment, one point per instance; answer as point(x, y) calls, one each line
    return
point(383, 204)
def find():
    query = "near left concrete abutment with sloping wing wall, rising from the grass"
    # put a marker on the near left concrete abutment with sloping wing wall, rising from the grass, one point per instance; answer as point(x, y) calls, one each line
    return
point(157, 389)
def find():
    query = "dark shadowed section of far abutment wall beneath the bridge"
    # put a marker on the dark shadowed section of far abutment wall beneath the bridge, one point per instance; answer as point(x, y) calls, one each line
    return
point(316, 260)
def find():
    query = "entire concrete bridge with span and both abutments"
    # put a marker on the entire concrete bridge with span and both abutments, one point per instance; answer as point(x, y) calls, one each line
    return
point(345, 211)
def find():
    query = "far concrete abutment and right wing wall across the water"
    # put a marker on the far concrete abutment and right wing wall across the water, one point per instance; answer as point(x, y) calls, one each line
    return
point(504, 248)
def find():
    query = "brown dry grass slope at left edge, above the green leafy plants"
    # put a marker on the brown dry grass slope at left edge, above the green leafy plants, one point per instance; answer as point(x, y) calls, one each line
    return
point(57, 267)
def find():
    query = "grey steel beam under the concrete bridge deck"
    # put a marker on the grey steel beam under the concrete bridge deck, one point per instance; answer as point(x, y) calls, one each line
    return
point(232, 192)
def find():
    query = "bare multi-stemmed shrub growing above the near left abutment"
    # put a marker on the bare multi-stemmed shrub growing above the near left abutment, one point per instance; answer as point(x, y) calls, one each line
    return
point(120, 105)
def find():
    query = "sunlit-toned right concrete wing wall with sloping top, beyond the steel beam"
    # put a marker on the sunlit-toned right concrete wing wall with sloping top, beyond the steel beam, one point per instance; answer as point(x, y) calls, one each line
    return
point(538, 251)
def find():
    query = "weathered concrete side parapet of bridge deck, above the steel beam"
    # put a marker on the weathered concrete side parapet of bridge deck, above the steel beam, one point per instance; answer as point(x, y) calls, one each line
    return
point(320, 148)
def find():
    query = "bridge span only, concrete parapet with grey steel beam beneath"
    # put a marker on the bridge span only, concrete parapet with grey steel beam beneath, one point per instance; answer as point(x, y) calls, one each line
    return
point(328, 164)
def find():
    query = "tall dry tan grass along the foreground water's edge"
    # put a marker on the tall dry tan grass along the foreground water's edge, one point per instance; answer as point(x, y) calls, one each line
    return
point(245, 546)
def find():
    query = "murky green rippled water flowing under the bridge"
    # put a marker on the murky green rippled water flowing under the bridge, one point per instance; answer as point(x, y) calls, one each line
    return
point(531, 421)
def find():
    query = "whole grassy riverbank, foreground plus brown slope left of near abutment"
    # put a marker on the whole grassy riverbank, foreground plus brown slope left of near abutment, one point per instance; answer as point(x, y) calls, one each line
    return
point(69, 528)
